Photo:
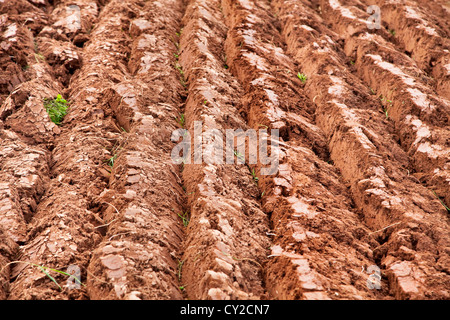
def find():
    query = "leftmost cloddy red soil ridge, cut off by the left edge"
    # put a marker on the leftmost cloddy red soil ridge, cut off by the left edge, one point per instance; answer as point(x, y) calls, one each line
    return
point(27, 134)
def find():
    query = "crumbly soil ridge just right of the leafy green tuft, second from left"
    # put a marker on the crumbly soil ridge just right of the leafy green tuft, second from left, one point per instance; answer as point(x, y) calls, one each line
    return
point(60, 231)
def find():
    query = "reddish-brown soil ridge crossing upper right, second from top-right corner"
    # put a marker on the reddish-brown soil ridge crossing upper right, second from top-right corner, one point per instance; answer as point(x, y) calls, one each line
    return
point(407, 26)
